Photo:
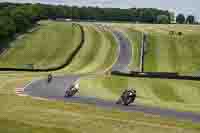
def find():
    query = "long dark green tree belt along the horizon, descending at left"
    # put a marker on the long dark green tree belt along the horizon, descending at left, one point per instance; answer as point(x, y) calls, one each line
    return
point(17, 18)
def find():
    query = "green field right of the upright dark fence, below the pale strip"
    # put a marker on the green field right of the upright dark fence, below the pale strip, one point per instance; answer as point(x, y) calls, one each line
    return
point(173, 54)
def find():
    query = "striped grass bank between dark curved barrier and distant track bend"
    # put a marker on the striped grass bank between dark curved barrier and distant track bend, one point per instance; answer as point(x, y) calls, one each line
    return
point(97, 55)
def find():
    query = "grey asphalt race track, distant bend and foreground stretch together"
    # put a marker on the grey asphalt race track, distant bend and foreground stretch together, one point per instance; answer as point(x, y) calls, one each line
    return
point(56, 89)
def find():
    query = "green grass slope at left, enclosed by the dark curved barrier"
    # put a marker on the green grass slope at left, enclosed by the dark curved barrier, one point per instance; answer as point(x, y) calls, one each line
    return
point(49, 46)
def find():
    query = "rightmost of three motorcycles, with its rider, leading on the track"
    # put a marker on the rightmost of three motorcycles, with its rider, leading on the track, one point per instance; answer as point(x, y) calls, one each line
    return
point(127, 97)
